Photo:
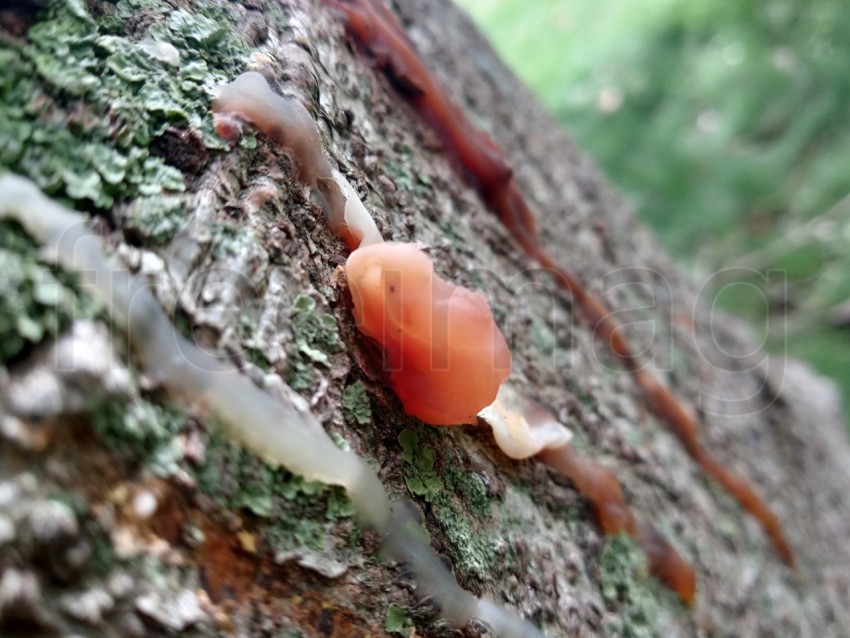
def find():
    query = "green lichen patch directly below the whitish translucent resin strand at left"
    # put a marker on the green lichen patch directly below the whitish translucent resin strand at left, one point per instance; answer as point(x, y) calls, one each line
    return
point(291, 511)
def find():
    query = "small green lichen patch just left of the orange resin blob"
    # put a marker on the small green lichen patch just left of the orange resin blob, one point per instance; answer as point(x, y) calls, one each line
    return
point(316, 337)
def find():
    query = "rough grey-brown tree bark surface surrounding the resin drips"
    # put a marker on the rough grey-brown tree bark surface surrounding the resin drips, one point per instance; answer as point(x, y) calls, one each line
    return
point(98, 537)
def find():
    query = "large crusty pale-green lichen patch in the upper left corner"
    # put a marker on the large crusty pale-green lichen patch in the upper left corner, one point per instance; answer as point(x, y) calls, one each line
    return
point(79, 105)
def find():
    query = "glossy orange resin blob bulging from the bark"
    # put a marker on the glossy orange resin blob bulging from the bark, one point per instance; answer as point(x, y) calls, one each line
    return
point(446, 355)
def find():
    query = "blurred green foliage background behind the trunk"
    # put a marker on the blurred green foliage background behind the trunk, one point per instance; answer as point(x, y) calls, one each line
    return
point(727, 125)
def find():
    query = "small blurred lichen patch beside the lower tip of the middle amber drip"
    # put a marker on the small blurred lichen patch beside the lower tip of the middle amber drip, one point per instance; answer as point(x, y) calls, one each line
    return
point(626, 585)
